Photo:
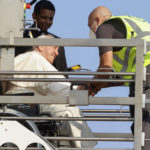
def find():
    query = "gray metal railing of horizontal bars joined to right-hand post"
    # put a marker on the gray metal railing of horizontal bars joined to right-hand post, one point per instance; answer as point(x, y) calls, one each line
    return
point(137, 100)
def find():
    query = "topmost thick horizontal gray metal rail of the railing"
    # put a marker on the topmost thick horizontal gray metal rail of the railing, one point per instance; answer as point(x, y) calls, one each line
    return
point(71, 42)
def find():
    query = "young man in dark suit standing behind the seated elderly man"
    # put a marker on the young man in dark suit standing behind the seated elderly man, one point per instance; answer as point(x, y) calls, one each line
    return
point(44, 12)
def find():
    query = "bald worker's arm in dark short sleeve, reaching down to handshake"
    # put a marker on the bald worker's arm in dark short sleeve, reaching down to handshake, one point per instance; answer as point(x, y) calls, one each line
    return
point(105, 52)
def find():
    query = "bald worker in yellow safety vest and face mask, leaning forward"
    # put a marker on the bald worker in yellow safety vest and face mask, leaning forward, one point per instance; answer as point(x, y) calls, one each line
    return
point(120, 59)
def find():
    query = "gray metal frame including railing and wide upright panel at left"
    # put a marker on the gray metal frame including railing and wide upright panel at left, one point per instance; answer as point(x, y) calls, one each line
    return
point(10, 37)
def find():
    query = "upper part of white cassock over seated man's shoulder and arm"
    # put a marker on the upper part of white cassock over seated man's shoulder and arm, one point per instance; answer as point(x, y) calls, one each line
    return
point(33, 61)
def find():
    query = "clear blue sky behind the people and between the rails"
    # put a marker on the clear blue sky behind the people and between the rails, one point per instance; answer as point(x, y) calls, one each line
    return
point(71, 21)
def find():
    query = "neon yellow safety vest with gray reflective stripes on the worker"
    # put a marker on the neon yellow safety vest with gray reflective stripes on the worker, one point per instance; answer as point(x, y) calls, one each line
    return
point(125, 59)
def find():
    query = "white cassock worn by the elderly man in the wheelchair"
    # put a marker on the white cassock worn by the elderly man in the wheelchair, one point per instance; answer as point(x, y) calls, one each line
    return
point(33, 61)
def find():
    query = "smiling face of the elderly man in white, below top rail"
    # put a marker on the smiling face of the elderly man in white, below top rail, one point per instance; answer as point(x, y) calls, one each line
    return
point(50, 53)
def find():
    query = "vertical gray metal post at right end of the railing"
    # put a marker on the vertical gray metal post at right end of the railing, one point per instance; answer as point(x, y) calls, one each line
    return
point(139, 95)
